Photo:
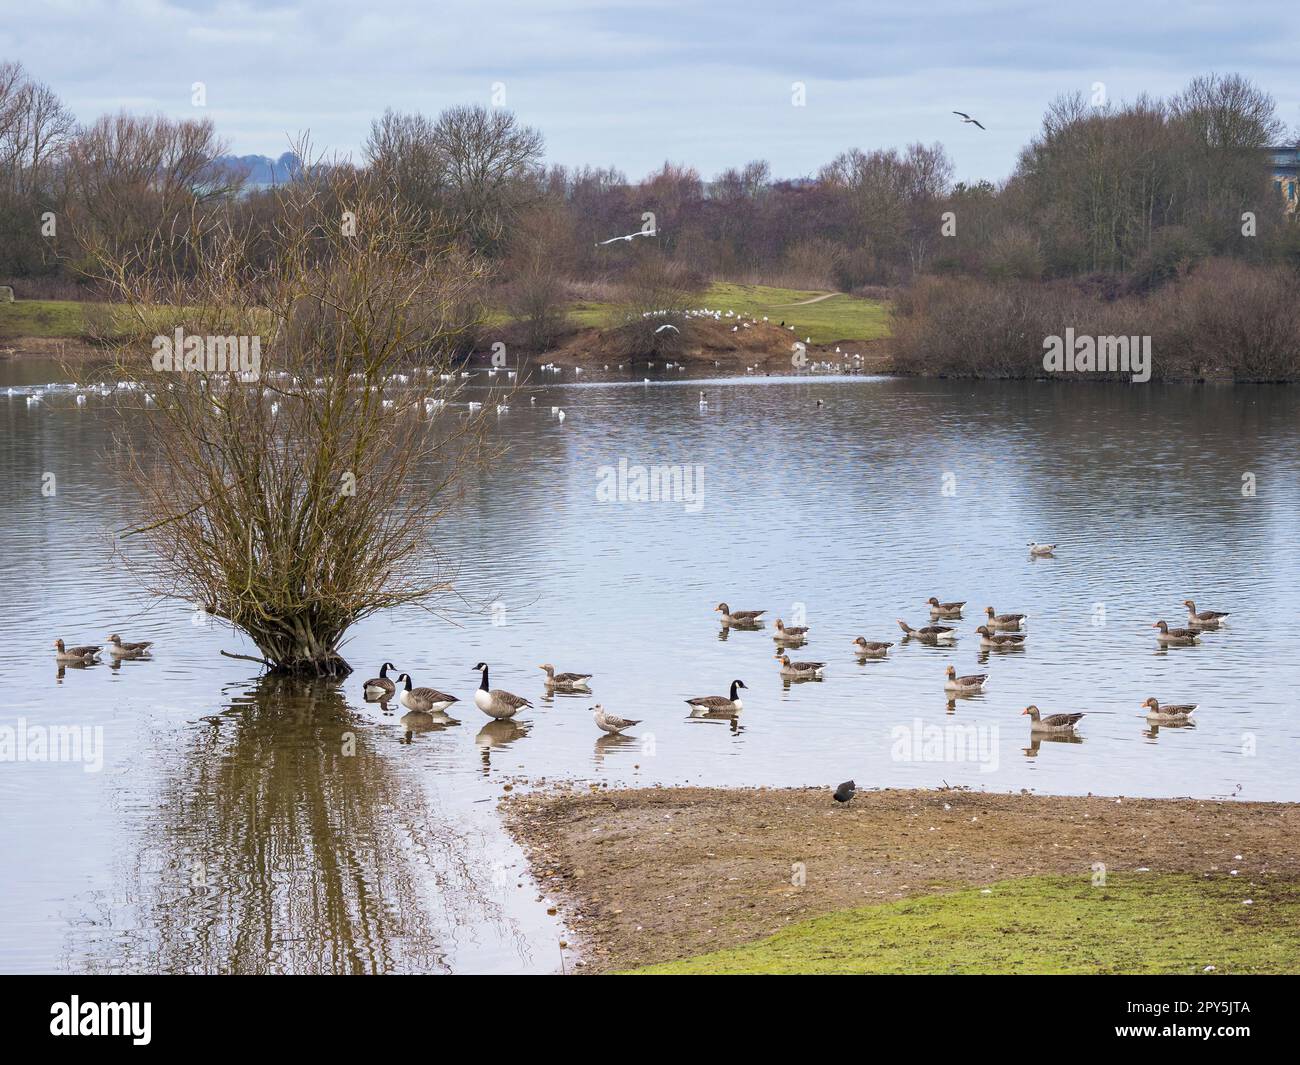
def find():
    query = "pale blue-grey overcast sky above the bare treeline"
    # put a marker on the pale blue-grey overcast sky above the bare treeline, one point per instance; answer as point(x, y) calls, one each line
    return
point(705, 83)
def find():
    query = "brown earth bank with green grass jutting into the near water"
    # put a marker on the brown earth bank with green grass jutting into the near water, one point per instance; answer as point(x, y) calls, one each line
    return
point(655, 876)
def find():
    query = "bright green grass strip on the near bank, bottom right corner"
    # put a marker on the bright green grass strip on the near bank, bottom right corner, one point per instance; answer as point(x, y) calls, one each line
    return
point(1136, 924)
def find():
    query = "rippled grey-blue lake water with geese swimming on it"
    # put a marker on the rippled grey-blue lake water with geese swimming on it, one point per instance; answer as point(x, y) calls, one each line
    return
point(258, 826)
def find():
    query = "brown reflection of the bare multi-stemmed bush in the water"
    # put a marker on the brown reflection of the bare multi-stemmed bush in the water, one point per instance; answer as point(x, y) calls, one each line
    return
point(285, 841)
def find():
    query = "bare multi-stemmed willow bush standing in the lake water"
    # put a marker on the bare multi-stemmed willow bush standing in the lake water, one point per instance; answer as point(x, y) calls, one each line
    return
point(297, 441)
